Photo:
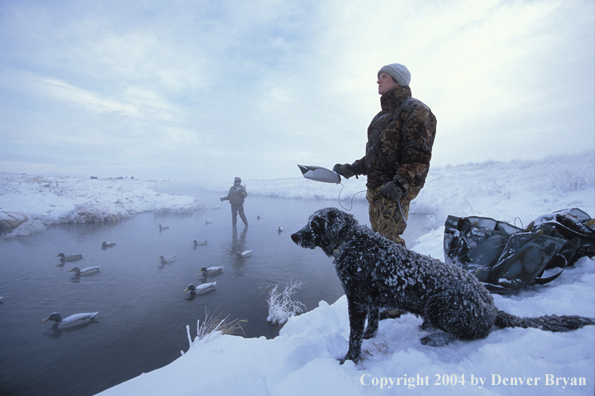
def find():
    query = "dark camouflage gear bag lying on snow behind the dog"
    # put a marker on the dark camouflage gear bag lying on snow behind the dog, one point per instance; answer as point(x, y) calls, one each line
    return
point(506, 258)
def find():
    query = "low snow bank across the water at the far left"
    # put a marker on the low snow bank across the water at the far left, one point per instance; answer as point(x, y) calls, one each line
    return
point(30, 203)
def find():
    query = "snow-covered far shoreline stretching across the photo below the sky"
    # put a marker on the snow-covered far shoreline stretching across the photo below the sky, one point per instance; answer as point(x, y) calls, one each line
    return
point(509, 191)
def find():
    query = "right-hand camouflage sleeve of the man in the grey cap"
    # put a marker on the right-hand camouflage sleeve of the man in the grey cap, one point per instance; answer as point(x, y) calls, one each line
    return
point(419, 131)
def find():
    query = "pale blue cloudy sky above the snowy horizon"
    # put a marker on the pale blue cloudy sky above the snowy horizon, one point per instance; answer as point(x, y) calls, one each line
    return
point(207, 90)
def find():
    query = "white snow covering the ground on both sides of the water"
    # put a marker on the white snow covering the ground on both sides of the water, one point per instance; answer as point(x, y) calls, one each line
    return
point(302, 360)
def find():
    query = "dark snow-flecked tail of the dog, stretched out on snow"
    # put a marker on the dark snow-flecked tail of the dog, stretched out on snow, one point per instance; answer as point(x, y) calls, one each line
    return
point(552, 323)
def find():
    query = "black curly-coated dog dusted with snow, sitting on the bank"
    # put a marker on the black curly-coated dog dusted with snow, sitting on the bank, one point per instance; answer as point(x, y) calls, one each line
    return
point(378, 273)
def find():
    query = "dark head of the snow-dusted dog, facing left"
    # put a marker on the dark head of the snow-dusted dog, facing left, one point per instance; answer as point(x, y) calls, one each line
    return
point(327, 228)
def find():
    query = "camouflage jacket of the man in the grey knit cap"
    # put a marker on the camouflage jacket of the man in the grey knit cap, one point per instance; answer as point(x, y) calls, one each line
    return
point(400, 139)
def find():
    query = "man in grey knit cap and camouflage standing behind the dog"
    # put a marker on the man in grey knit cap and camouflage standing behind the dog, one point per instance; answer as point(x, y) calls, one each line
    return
point(398, 153)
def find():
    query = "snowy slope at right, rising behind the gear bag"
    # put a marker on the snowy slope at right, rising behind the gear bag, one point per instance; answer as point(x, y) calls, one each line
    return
point(515, 191)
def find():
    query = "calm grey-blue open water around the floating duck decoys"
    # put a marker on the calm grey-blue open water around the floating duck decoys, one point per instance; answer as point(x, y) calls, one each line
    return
point(143, 311)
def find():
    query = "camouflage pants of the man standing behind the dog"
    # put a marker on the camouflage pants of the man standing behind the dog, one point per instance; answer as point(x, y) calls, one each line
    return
point(385, 216)
